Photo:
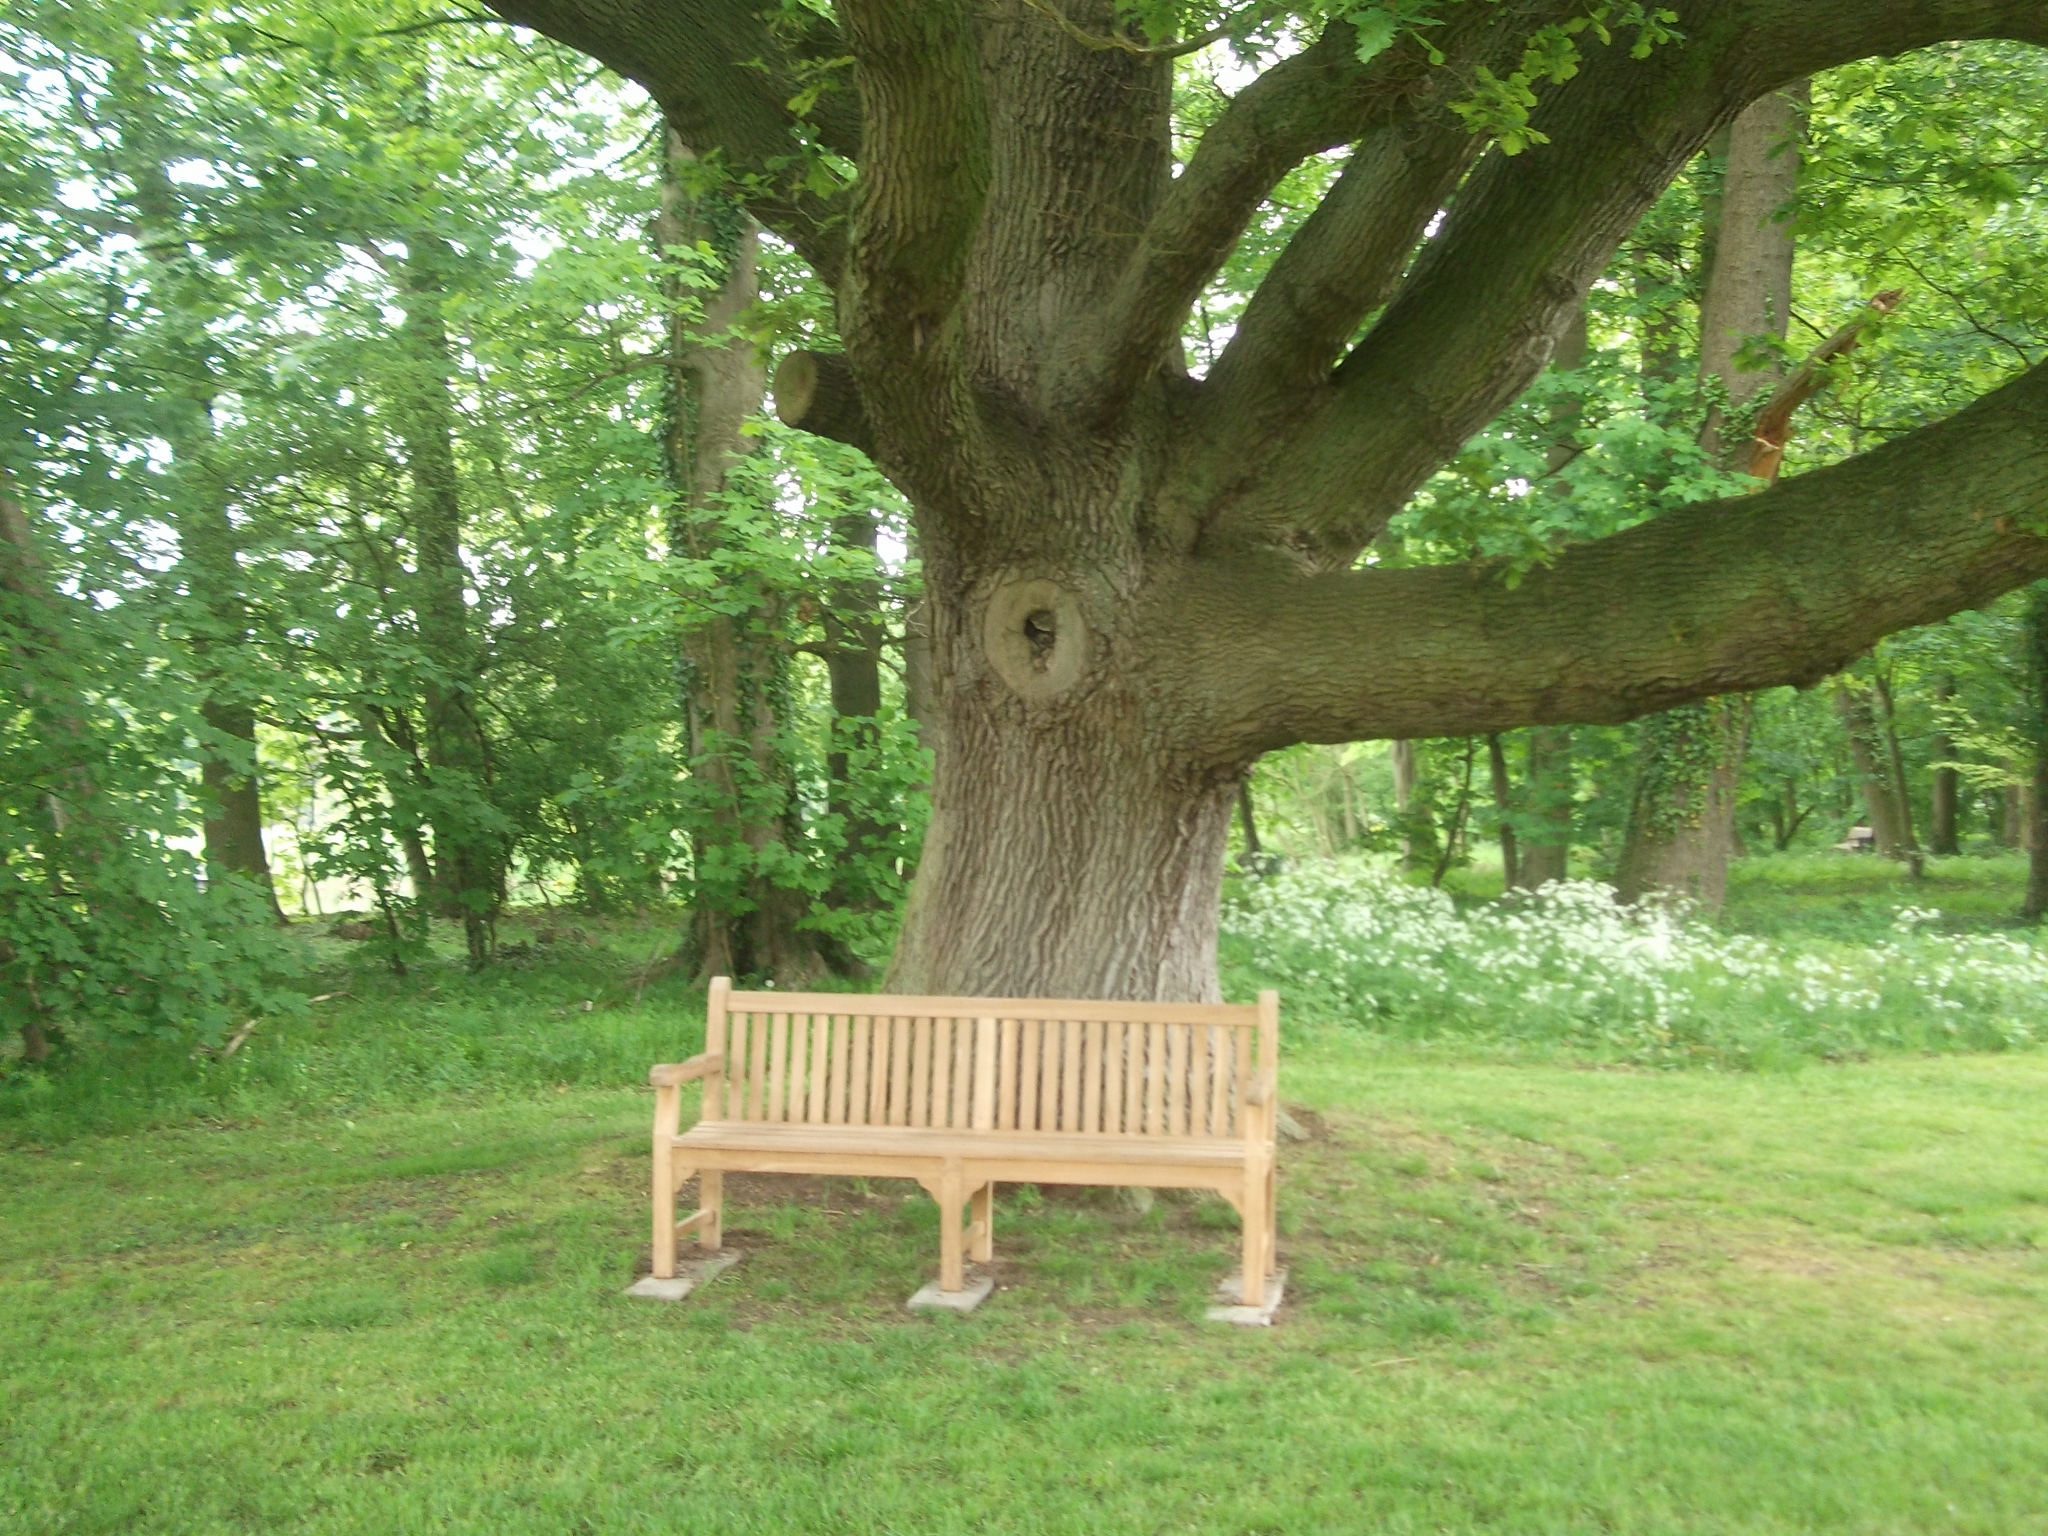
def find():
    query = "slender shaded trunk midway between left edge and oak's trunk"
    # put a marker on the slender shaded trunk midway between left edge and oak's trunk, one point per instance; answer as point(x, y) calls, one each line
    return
point(468, 849)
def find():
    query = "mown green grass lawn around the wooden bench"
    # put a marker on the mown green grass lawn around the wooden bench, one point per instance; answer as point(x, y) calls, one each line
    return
point(1525, 1299)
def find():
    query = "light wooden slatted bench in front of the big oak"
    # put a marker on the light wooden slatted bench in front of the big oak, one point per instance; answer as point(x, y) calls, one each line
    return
point(966, 1093)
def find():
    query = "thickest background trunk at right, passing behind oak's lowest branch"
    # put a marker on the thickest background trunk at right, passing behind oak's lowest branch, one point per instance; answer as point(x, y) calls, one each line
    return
point(1682, 830)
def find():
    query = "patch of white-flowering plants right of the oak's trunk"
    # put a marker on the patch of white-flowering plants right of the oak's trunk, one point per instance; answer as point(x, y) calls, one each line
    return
point(1650, 984)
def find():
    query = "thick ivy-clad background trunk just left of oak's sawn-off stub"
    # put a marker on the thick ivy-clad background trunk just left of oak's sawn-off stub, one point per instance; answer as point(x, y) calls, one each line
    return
point(736, 660)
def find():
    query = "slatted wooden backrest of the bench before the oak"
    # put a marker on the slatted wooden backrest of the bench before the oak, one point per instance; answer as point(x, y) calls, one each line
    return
point(988, 1064)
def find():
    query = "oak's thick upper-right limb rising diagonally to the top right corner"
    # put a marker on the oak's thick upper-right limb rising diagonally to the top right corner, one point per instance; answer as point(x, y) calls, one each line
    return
point(1478, 316)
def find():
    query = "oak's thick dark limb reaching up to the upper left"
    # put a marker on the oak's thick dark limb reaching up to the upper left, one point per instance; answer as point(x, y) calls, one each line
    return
point(724, 79)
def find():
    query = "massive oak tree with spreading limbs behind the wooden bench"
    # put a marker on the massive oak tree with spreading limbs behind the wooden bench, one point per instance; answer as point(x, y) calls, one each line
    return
point(1142, 581)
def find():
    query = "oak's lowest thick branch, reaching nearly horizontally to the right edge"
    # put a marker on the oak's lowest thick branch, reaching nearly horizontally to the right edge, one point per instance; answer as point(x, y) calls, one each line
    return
point(1725, 597)
